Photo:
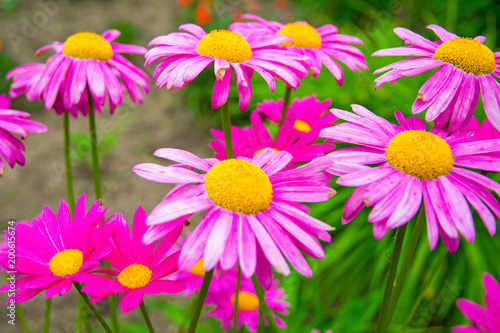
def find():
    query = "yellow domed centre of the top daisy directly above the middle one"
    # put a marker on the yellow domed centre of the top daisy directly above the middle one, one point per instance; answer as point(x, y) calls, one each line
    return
point(225, 44)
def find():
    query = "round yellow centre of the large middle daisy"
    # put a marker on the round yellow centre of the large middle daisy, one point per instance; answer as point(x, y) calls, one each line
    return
point(239, 186)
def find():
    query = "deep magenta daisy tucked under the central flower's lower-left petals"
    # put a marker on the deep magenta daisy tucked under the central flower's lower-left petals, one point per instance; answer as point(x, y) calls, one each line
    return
point(139, 268)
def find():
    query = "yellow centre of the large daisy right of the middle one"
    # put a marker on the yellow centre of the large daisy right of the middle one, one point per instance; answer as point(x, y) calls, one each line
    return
point(419, 153)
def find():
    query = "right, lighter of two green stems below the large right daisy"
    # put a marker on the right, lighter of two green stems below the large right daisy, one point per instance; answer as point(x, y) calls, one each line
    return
point(410, 251)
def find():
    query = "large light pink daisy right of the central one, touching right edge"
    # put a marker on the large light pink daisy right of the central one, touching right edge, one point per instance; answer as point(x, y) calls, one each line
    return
point(414, 165)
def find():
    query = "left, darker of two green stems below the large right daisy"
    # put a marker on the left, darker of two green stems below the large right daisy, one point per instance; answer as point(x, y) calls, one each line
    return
point(391, 275)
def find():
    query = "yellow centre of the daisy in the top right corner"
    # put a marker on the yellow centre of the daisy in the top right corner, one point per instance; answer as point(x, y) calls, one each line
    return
point(467, 54)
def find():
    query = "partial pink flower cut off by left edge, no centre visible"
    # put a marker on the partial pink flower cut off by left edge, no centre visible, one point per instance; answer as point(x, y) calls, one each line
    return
point(14, 122)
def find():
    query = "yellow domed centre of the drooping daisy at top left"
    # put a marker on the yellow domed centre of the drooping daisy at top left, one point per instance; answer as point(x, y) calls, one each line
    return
point(88, 45)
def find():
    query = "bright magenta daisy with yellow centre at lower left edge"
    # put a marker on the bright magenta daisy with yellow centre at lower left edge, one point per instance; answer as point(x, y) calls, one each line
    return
point(53, 251)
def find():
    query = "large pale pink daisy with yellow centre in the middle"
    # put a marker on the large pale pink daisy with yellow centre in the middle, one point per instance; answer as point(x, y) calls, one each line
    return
point(253, 210)
